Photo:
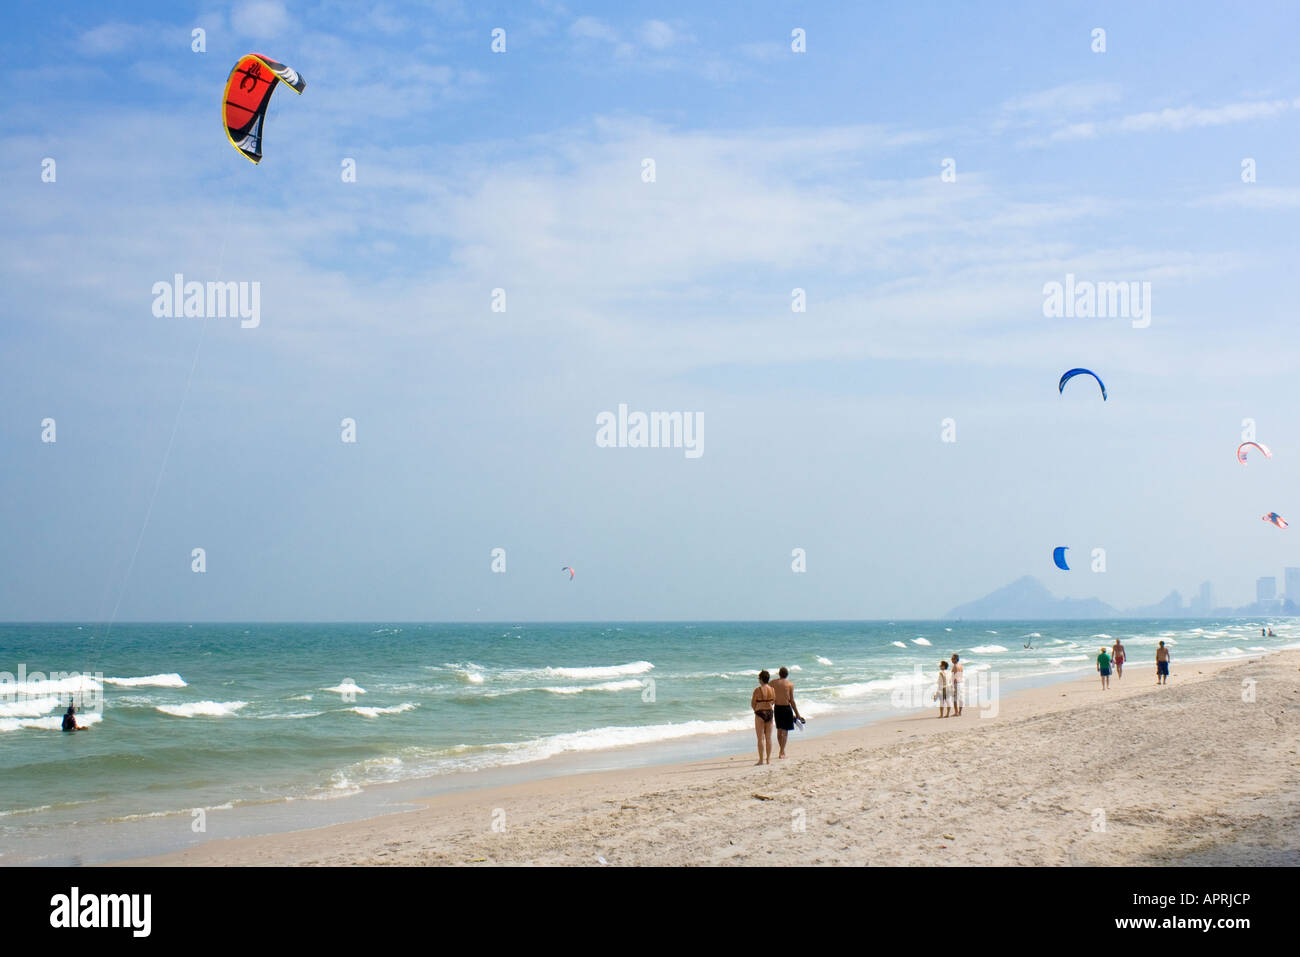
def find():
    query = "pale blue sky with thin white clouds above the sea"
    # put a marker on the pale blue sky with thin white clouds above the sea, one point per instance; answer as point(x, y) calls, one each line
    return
point(921, 172)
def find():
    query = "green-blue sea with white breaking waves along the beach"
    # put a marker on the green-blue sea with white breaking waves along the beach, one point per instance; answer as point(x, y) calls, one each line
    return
point(200, 731)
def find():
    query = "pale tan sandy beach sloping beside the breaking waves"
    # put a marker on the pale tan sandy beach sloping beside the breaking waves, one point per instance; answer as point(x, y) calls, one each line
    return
point(1194, 773)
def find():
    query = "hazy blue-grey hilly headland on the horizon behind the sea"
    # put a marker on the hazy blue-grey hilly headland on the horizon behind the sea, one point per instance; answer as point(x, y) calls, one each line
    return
point(1029, 599)
